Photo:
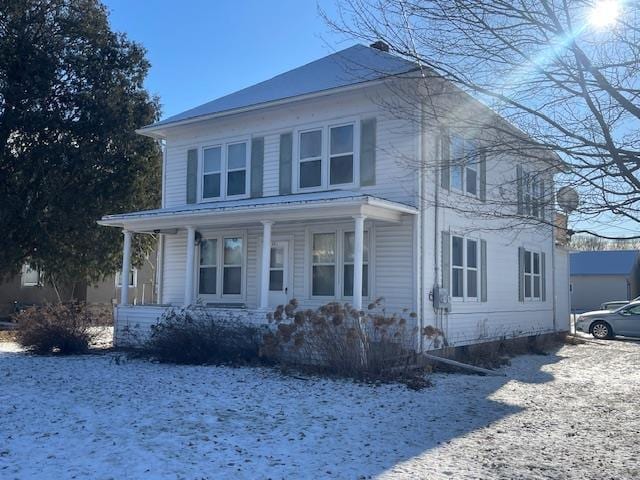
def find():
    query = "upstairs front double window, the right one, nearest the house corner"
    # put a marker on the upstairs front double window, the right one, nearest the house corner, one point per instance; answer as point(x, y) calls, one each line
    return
point(326, 157)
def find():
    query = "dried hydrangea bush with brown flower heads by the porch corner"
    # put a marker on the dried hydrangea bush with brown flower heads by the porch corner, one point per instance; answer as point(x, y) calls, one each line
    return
point(372, 345)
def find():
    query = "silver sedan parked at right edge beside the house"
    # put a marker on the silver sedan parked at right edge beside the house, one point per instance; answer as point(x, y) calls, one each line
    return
point(602, 324)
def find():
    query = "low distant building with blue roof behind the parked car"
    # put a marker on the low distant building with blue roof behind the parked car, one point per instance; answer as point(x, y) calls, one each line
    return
point(603, 276)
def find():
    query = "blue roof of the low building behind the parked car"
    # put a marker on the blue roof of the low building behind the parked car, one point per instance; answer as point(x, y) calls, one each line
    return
point(607, 262)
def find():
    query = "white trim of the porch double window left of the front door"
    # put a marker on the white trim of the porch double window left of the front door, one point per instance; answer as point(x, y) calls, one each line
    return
point(219, 296)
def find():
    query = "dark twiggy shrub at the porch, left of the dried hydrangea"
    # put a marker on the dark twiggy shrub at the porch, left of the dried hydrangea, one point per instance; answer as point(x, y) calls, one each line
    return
point(195, 336)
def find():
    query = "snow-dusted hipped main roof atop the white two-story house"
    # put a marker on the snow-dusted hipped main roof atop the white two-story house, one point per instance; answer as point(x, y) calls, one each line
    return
point(353, 65)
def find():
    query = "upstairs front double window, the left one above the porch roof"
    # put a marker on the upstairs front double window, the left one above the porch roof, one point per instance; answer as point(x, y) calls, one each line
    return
point(224, 171)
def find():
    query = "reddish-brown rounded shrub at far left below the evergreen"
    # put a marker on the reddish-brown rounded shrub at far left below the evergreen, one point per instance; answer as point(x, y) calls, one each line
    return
point(61, 328)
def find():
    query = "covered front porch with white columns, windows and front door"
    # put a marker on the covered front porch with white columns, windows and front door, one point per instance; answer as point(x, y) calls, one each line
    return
point(245, 257)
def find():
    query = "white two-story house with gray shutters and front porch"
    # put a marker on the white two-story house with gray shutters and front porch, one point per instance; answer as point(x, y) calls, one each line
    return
point(305, 186)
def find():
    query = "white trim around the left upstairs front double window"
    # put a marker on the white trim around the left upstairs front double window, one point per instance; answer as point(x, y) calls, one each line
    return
point(224, 169)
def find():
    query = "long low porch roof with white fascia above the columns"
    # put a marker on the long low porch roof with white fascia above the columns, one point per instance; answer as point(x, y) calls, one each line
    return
point(333, 204)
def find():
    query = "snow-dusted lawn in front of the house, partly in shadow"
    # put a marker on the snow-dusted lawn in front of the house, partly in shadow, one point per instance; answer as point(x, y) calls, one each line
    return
point(569, 415)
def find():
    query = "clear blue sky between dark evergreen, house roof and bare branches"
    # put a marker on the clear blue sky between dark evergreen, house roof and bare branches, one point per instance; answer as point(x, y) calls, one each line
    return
point(200, 50)
